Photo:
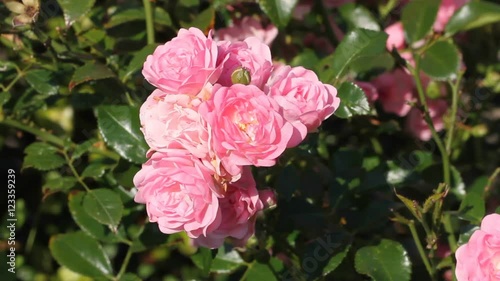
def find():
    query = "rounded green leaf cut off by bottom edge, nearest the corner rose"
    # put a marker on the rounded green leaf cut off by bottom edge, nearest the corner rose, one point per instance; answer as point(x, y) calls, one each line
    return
point(387, 261)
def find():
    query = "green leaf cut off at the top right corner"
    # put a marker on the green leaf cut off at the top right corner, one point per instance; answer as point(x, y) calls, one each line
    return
point(473, 14)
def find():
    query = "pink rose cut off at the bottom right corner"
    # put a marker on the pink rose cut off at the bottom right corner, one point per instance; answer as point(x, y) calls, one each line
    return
point(479, 259)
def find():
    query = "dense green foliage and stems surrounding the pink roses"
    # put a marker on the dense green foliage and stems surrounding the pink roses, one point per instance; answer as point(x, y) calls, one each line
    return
point(359, 200)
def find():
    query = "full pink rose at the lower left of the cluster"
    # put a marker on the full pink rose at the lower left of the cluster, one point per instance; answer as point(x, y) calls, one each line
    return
point(179, 193)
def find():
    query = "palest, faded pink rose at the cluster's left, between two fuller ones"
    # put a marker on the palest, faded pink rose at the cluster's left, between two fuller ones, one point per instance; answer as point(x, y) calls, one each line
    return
point(173, 122)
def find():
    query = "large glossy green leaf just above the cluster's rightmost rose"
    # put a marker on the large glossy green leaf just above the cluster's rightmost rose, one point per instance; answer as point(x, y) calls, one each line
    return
point(357, 44)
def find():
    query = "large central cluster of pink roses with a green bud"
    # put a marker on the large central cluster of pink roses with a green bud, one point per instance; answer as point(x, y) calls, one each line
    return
point(219, 108)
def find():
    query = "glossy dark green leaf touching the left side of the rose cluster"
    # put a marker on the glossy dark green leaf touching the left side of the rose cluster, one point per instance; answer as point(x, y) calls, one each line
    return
point(120, 128)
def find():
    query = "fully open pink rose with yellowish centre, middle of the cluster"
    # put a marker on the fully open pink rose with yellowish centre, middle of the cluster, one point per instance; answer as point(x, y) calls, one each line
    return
point(247, 127)
